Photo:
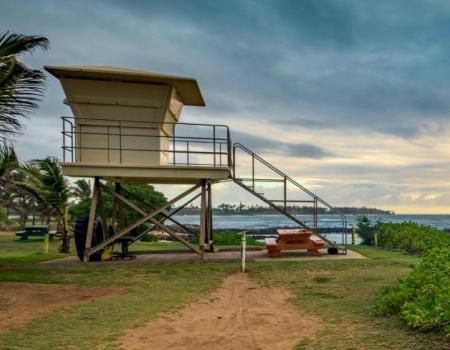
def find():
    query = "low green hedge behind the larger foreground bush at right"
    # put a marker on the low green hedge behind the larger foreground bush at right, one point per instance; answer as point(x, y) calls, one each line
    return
point(411, 237)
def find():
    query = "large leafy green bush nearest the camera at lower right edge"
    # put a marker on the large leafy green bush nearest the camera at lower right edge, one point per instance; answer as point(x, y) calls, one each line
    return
point(422, 300)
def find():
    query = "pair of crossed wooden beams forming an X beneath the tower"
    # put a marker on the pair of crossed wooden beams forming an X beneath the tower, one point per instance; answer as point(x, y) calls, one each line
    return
point(146, 217)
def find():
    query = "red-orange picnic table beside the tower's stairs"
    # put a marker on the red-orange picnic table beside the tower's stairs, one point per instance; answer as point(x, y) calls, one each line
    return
point(294, 239)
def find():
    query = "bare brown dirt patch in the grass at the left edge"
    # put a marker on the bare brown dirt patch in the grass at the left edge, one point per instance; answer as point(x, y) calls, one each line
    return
point(21, 302)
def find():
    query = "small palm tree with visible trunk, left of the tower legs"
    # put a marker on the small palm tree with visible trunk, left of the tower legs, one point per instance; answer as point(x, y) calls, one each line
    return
point(44, 179)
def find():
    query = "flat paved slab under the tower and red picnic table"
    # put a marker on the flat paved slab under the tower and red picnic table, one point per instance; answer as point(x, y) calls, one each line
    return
point(156, 257)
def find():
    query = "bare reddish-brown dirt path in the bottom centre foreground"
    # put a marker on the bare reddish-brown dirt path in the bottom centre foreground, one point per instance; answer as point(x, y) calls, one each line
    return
point(240, 314)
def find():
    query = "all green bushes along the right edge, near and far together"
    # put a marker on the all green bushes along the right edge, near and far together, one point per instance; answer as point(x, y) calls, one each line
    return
point(422, 299)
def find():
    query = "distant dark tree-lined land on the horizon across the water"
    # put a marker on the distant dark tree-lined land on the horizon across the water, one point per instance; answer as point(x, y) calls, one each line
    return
point(242, 209)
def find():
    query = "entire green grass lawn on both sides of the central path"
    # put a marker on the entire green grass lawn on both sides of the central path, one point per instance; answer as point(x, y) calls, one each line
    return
point(339, 292)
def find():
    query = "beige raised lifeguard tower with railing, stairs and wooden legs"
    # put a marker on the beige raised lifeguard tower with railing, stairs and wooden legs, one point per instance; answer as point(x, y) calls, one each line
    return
point(126, 128)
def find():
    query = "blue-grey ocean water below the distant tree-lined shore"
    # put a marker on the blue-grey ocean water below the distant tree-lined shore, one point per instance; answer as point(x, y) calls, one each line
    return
point(247, 222)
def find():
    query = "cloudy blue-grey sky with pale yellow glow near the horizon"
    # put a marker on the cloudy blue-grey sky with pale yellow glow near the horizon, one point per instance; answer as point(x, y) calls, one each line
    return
point(350, 98)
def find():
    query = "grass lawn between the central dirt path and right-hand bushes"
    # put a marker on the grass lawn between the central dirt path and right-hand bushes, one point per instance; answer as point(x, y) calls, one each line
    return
point(341, 293)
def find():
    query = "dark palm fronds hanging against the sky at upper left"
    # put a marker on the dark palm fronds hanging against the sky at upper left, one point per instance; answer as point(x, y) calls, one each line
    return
point(21, 88)
